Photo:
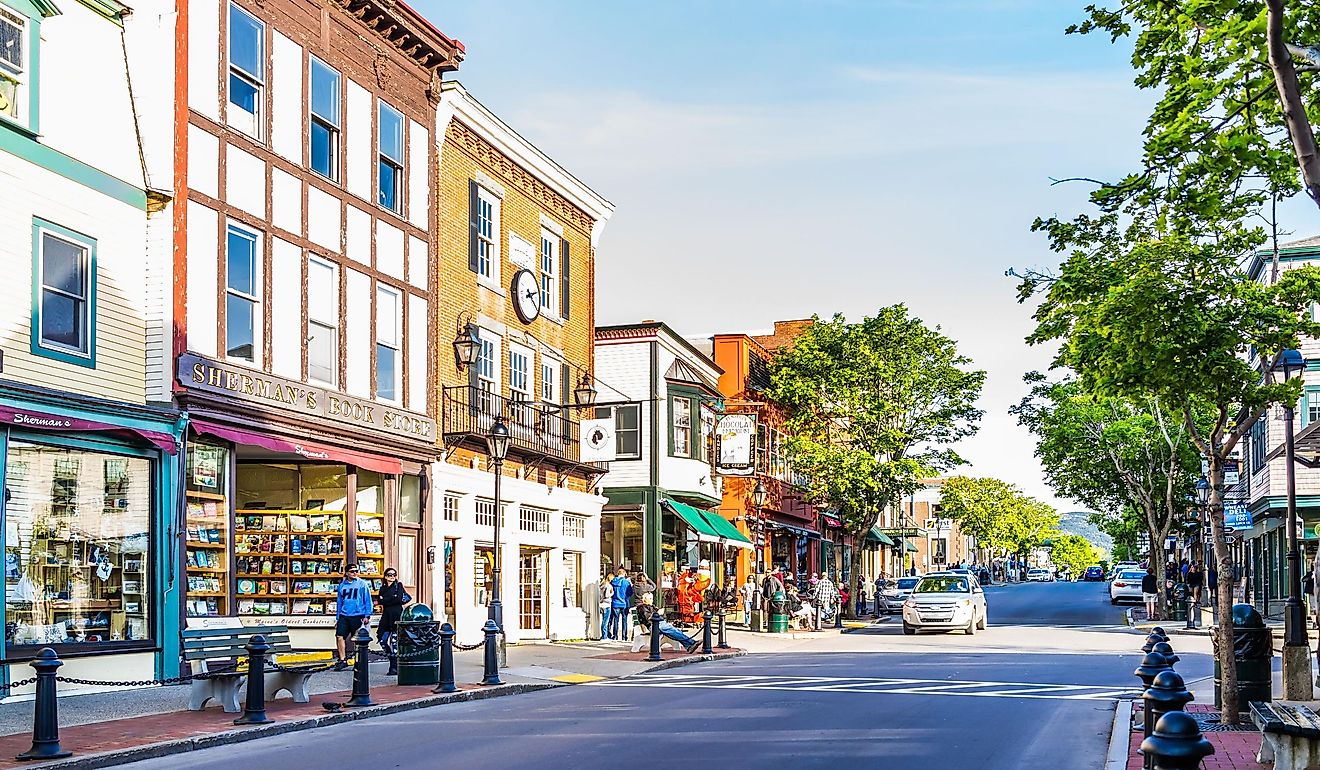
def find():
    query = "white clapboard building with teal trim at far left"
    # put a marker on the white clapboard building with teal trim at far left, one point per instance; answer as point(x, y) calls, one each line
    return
point(90, 466)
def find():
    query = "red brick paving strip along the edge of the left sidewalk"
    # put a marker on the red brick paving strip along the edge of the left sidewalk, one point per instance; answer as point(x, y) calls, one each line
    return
point(129, 734)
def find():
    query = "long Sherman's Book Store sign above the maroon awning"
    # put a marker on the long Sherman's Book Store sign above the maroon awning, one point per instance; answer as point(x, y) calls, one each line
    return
point(226, 380)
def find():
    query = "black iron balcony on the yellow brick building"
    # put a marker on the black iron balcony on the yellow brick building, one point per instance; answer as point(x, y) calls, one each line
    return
point(539, 431)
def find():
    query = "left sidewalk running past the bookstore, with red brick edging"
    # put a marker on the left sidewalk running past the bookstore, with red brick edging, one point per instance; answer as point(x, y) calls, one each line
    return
point(155, 722)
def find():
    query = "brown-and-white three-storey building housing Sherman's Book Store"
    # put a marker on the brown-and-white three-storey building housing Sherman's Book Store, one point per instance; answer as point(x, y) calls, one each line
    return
point(306, 322)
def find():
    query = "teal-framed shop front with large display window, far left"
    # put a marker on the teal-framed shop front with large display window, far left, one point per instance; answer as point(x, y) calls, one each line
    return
point(89, 488)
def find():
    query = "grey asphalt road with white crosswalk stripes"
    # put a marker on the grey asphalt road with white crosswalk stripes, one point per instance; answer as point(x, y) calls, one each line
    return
point(1014, 697)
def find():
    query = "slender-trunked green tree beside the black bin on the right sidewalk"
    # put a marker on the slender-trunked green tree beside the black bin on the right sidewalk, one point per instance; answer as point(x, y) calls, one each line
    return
point(1178, 322)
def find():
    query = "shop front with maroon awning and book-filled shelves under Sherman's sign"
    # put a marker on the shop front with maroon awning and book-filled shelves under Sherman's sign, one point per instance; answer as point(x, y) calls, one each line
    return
point(277, 507)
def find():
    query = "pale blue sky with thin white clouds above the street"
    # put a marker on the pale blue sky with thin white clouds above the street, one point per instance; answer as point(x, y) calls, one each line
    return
point(774, 160)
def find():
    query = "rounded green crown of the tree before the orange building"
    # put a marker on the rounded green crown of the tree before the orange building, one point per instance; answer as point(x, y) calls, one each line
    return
point(872, 410)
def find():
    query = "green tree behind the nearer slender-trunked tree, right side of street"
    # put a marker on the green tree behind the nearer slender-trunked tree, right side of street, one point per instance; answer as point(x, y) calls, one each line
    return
point(1113, 454)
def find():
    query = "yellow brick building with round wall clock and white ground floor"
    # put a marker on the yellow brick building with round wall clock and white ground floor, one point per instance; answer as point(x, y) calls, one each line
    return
point(517, 245)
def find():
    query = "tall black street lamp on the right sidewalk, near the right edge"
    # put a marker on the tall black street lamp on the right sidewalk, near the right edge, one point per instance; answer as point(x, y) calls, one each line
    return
point(1297, 658)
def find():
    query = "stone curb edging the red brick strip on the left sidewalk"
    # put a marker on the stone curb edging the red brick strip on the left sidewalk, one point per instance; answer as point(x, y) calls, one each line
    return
point(229, 738)
